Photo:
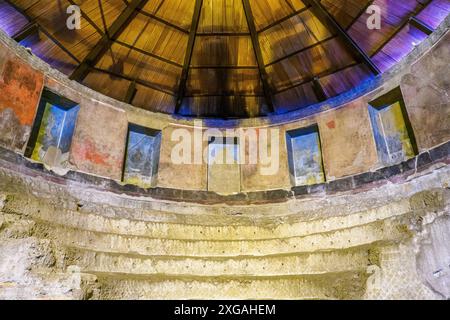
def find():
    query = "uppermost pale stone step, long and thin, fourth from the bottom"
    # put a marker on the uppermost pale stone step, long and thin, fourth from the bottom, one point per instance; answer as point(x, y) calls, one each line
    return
point(171, 231)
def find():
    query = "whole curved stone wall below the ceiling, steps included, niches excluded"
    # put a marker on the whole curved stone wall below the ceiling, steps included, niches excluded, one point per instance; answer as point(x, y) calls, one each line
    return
point(371, 231)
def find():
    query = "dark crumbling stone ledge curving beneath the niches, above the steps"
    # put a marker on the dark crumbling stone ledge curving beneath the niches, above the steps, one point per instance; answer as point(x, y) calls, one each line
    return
point(353, 184)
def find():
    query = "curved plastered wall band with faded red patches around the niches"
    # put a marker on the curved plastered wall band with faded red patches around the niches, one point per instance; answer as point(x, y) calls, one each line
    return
point(347, 140)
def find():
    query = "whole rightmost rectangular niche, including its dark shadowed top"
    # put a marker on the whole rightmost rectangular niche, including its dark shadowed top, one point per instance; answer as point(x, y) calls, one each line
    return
point(392, 130)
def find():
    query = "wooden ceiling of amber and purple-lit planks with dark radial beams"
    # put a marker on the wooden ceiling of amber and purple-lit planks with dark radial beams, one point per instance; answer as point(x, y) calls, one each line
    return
point(221, 58)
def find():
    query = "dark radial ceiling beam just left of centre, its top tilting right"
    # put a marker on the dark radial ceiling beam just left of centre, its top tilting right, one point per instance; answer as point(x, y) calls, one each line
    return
point(188, 56)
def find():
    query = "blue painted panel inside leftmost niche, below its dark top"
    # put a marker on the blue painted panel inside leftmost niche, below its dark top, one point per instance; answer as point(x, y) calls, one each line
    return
point(55, 135)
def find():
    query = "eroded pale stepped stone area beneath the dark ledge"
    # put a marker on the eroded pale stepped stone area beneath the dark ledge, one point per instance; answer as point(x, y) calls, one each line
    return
point(74, 244)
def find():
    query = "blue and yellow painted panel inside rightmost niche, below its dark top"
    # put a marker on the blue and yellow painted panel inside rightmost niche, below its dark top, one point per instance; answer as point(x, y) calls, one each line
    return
point(391, 134)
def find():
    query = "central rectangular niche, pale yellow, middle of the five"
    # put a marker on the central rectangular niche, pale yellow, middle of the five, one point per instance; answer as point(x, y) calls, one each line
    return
point(224, 175)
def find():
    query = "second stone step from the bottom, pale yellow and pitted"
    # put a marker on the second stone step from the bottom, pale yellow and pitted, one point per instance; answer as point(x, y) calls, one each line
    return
point(282, 265)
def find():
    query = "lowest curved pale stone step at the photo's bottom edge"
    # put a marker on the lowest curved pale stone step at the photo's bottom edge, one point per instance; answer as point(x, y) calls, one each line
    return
point(348, 285)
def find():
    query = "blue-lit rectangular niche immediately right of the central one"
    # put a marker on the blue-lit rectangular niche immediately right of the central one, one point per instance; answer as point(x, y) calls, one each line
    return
point(305, 156)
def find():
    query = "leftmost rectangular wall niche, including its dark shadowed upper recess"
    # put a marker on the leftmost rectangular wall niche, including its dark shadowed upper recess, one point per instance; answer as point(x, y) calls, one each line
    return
point(52, 132)
